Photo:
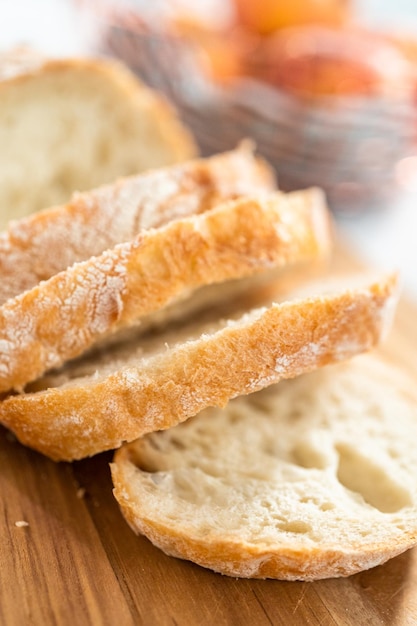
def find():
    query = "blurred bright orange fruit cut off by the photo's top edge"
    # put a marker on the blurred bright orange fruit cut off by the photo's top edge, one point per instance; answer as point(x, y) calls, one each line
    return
point(266, 16)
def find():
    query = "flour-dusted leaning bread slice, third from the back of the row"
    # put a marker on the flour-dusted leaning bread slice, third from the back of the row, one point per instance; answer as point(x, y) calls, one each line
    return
point(64, 316)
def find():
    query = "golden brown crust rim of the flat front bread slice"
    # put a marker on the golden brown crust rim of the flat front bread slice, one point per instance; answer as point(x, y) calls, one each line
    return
point(237, 559)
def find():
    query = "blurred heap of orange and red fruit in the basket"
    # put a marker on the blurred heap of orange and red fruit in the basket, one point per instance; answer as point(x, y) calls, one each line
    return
point(325, 54)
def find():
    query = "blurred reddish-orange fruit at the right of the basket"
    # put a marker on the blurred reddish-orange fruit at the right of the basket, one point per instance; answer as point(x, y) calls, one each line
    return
point(323, 61)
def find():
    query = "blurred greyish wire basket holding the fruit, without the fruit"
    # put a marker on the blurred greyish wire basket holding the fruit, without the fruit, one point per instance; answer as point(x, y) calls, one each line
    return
point(350, 147)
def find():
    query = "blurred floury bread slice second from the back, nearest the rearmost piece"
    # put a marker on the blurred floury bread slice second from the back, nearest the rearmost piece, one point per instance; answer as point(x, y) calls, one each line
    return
point(43, 244)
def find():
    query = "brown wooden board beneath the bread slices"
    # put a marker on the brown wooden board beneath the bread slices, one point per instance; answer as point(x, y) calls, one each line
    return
point(77, 562)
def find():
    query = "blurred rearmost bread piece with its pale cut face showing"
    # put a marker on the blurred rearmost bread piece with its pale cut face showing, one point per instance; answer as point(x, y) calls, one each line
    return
point(74, 124)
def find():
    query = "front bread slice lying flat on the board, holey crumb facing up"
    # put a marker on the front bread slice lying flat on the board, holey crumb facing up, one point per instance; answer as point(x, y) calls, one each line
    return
point(311, 478)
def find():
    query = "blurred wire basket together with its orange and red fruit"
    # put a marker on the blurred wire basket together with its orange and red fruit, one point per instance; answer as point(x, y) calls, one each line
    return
point(328, 103)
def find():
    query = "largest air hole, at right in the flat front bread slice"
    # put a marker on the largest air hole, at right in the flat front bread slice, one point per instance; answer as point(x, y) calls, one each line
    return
point(364, 476)
